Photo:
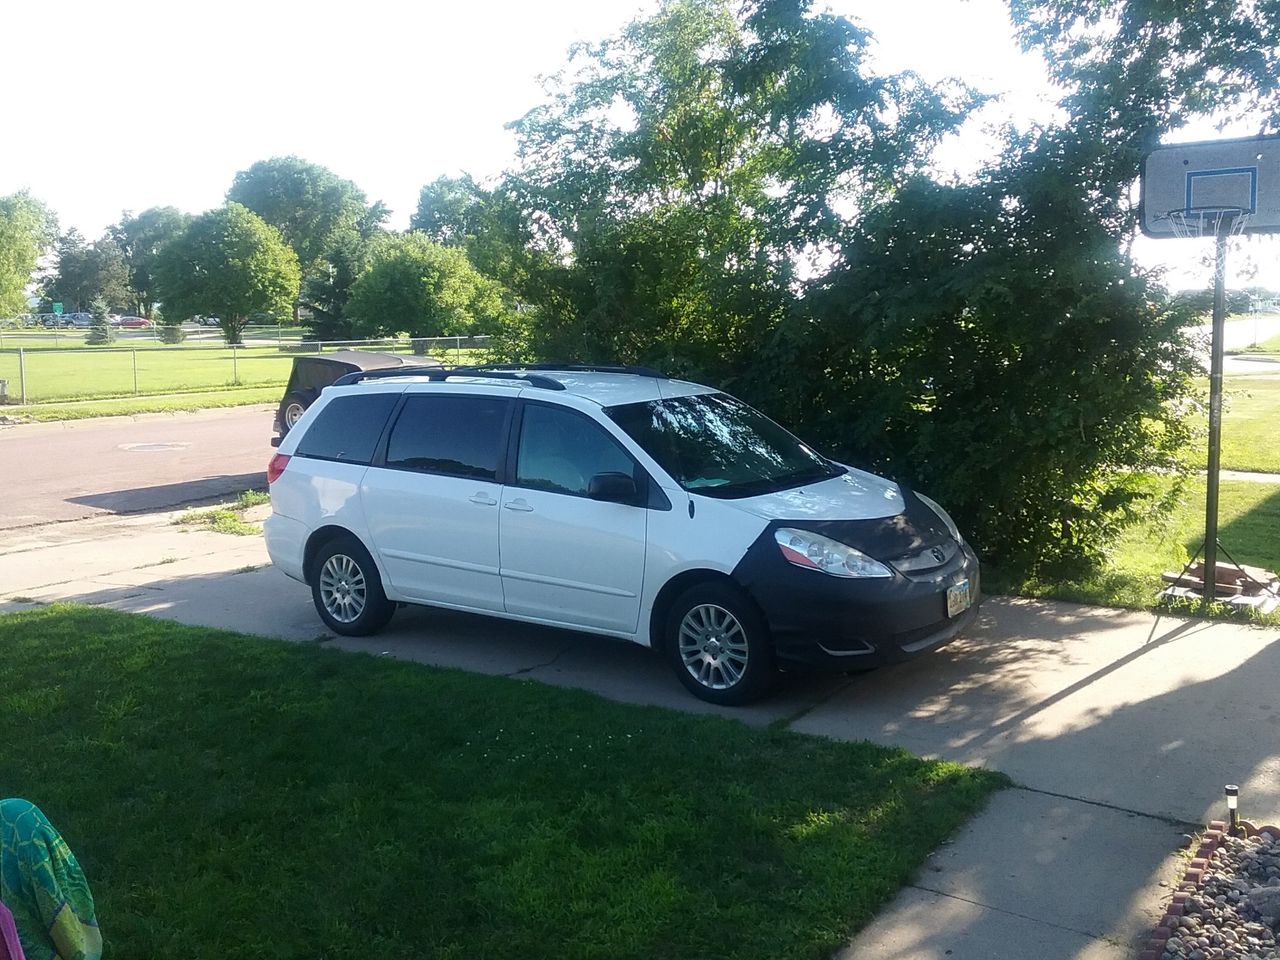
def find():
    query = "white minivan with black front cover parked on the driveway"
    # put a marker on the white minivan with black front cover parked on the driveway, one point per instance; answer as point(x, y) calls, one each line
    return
point(611, 501)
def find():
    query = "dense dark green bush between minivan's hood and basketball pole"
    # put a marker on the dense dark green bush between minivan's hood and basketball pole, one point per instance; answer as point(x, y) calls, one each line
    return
point(990, 345)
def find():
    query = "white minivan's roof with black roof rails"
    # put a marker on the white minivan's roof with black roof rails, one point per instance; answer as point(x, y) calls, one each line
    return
point(607, 388)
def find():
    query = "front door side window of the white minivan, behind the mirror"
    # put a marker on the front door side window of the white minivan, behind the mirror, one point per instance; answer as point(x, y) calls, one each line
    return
point(561, 451)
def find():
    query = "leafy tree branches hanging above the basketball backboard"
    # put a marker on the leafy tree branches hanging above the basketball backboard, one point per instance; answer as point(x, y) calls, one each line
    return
point(1137, 70)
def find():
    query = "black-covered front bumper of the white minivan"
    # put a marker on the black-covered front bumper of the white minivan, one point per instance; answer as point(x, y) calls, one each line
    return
point(838, 624)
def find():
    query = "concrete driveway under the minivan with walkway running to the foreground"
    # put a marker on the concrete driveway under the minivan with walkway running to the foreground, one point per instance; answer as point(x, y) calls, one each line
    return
point(1119, 728)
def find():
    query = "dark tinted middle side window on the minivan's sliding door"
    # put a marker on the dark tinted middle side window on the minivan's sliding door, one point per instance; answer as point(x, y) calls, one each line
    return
point(455, 436)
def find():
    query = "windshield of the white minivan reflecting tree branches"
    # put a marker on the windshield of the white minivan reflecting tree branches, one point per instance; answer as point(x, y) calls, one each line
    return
point(720, 447)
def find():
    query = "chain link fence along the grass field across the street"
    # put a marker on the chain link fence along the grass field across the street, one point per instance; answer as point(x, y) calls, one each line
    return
point(34, 373)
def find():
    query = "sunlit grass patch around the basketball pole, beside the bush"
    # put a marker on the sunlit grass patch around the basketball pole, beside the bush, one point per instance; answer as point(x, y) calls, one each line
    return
point(1249, 528)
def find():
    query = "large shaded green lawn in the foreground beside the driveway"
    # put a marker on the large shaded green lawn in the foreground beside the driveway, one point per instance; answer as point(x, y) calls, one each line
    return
point(232, 797)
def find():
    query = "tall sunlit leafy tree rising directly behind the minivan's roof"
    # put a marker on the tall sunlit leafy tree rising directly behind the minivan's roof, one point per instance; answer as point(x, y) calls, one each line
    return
point(684, 172)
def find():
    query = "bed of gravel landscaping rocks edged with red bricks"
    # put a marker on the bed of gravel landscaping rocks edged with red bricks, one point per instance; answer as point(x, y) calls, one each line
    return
point(1236, 913)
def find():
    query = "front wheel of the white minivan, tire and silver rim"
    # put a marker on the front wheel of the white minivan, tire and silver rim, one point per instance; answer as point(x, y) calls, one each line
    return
point(720, 646)
